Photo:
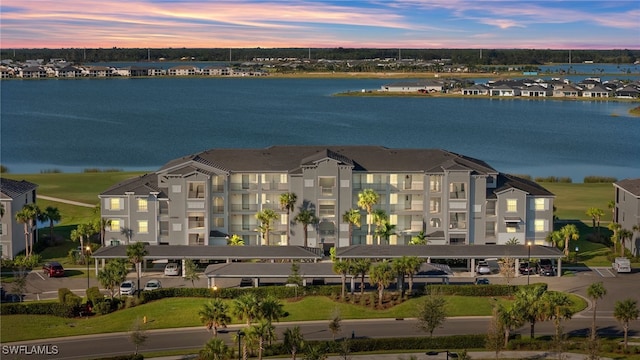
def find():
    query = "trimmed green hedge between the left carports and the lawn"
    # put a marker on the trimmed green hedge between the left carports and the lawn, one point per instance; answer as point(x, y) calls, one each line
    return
point(279, 292)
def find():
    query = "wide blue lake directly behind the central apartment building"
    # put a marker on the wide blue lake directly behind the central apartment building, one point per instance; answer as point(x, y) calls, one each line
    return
point(140, 124)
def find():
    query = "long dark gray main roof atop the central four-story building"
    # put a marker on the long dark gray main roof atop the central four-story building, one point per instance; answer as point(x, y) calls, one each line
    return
point(363, 158)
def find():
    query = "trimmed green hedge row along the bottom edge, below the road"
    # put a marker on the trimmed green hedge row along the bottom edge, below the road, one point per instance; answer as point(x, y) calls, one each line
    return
point(421, 343)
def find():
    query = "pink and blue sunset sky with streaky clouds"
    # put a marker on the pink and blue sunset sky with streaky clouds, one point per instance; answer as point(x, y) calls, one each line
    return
point(415, 24)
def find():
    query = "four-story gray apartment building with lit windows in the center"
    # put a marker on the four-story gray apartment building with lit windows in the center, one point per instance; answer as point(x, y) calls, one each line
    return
point(204, 198)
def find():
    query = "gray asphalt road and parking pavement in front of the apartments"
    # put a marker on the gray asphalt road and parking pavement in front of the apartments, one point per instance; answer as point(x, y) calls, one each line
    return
point(618, 287)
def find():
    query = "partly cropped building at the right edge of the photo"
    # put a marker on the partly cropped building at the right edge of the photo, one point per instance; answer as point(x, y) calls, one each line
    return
point(627, 210)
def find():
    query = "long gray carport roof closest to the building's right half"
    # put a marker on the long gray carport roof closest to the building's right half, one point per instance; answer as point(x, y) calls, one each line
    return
point(447, 251)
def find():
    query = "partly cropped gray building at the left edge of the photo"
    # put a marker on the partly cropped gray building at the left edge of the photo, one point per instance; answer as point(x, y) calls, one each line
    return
point(14, 195)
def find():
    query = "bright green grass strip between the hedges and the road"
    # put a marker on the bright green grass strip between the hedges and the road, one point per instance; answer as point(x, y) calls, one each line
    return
point(183, 312)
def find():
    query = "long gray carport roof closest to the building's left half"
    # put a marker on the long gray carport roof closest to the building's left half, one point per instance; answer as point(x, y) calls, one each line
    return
point(212, 252)
